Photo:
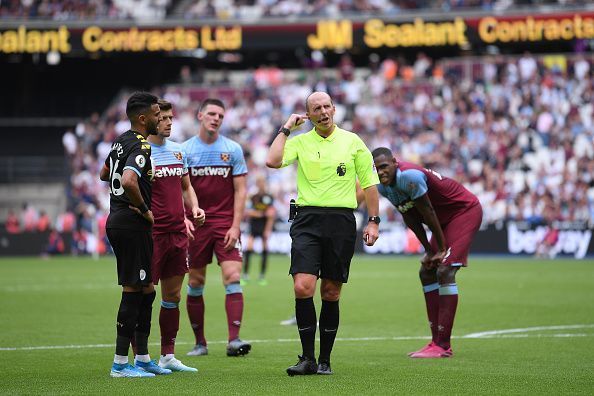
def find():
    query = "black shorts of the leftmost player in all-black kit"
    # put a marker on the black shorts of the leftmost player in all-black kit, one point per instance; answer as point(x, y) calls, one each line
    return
point(134, 251)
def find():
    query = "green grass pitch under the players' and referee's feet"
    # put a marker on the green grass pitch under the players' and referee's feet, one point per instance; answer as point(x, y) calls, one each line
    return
point(523, 327)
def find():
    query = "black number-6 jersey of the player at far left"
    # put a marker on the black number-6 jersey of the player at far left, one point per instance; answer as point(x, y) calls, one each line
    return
point(129, 151)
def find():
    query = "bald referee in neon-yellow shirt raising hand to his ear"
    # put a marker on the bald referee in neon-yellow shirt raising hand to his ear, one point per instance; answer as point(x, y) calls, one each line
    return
point(330, 161)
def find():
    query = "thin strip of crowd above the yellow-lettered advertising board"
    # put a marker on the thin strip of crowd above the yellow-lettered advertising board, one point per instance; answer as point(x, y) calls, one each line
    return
point(246, 9)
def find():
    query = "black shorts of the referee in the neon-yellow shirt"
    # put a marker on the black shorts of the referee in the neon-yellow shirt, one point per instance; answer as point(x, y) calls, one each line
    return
point(323, 242)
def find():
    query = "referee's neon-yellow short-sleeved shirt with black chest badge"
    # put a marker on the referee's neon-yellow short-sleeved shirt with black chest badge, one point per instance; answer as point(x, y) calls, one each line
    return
point(327, 168)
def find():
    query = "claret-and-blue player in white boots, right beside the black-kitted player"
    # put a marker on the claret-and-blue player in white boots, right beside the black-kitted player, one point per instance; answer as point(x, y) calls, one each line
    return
point(171, 190)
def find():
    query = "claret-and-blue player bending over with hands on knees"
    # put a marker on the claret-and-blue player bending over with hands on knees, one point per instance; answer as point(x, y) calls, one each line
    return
point(454, 215)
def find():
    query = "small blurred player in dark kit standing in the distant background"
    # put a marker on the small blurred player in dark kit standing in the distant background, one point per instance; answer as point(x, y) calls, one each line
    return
point(260, 215)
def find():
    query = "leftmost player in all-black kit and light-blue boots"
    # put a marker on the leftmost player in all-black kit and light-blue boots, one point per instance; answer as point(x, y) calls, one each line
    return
point(128, 170)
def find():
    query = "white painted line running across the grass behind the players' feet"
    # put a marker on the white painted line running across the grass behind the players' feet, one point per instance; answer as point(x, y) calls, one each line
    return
point(508, 333)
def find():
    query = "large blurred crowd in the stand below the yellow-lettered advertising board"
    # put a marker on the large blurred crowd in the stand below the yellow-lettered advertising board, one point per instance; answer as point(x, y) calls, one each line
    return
point(518, 132)
